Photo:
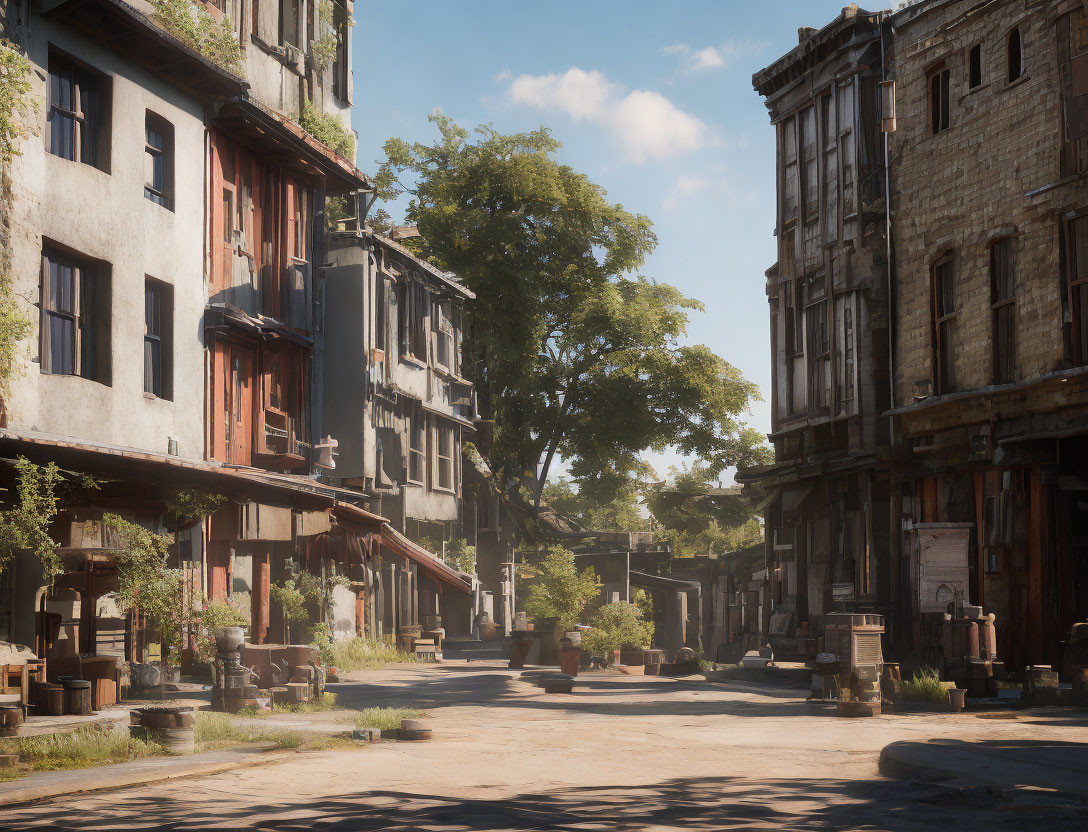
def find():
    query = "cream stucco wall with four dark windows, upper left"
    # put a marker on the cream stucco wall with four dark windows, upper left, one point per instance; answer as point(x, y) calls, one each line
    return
point(105, 216)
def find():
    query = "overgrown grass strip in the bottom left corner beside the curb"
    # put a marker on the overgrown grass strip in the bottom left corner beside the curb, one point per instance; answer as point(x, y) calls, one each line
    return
point(77, 750)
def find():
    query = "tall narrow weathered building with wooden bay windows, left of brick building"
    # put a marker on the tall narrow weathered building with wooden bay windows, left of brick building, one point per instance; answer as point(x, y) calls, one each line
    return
point(826, 499)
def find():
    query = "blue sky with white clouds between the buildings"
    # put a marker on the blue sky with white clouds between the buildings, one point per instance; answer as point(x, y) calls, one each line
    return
point(652, 101)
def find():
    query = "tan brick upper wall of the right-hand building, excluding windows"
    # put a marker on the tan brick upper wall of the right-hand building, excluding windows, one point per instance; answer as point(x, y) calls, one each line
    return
point(970, 184)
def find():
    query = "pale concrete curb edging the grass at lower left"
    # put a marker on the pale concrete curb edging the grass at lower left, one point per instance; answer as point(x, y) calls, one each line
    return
point(109, 778)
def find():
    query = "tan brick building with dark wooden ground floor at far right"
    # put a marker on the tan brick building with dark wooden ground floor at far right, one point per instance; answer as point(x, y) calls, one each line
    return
point(991, 229)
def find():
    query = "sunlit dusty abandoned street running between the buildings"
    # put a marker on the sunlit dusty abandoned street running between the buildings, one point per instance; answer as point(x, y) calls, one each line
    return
point(621, 753)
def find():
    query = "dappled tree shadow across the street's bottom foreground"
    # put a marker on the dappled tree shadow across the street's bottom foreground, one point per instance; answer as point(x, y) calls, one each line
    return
point(691, 804)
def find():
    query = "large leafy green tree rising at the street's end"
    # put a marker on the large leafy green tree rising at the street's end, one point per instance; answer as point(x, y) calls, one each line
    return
point(575, 355)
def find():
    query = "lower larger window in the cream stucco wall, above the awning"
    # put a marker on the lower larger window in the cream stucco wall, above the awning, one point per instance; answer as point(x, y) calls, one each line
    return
point(76, 317)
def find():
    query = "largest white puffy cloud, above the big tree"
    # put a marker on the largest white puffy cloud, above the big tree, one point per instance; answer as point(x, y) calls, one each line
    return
point(647, 125)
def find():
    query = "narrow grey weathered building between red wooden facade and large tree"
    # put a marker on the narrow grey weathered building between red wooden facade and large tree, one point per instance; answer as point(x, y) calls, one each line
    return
point(400, 408)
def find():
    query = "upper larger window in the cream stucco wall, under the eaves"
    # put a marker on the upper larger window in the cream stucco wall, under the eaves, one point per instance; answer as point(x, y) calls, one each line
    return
point(75, 121)
